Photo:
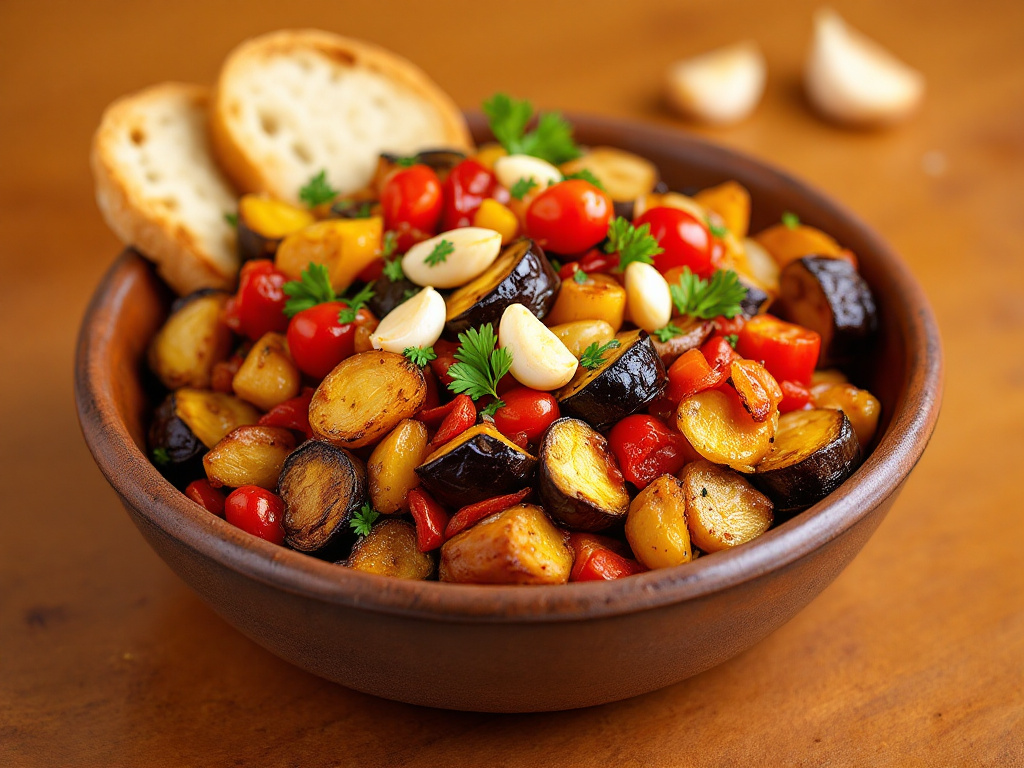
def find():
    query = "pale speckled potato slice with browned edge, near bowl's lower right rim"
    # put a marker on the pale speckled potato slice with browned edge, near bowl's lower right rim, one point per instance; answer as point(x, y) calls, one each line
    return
point(723, 510)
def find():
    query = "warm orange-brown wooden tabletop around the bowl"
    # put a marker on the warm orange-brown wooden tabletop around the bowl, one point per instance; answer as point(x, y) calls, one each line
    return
point(915, 656)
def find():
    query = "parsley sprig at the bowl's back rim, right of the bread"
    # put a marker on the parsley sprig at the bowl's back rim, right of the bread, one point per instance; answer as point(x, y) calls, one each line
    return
point(551, 140)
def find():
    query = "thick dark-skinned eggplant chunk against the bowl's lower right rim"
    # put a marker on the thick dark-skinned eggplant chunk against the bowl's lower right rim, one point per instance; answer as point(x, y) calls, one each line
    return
point(815, 452)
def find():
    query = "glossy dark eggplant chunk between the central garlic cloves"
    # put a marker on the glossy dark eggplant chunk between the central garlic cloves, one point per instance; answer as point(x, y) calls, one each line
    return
point(522, 275)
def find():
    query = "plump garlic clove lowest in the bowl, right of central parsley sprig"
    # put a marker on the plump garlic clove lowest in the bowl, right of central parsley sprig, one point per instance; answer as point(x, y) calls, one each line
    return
point(540, 360)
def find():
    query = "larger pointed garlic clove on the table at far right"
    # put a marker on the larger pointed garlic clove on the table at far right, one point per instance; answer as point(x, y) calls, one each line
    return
point(852, 79)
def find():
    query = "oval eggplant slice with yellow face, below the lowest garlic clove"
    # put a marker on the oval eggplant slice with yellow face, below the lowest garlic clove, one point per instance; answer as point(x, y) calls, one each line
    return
point(581, 484)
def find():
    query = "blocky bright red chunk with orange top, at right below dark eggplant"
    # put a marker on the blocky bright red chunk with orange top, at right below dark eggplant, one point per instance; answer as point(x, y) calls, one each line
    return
point(789, 352)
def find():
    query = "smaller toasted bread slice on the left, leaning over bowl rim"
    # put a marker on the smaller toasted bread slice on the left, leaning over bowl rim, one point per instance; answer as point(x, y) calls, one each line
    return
point(160, 189)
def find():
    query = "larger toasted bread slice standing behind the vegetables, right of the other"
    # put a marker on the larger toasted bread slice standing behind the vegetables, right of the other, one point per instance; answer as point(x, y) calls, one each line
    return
point(294, 103)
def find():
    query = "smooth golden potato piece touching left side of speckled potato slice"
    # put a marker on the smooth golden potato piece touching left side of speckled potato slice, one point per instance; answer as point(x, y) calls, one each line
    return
point(656, 527)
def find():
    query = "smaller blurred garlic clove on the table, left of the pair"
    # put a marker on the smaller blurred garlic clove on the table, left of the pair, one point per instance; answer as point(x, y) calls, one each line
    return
point(720, 88)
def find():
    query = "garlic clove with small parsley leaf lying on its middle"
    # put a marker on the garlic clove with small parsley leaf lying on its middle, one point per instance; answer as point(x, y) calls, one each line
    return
point(472, 250)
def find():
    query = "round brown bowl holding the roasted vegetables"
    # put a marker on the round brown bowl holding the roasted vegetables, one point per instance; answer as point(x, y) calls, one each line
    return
point(524, 649)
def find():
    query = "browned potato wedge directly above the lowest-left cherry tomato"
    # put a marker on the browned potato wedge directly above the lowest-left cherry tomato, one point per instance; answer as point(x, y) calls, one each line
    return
point(251, 455)
